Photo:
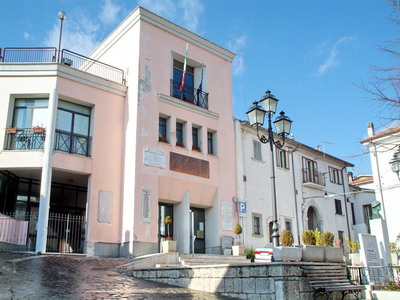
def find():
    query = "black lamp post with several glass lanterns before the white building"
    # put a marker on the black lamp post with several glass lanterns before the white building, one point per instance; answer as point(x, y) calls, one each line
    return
point(256, 114)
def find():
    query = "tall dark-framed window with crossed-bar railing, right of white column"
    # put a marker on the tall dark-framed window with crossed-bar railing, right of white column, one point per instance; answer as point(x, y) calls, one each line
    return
point(73, 128)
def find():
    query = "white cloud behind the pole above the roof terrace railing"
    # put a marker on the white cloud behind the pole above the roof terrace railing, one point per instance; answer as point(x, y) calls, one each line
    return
point(79, 35)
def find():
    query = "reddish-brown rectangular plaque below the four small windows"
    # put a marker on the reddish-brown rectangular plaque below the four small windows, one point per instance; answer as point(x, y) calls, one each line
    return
point(189, 165)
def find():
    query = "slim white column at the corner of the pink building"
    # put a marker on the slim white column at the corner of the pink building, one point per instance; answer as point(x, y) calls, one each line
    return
point(45, 184)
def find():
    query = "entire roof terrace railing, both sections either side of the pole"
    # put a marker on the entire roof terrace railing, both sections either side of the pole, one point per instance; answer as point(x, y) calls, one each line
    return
point(67, 58)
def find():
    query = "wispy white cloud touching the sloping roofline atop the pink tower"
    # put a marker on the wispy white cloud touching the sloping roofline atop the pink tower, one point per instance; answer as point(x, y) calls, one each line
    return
point(186, 13)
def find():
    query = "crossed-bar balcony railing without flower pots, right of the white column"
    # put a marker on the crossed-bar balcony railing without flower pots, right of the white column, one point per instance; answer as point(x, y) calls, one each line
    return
point(73, 143)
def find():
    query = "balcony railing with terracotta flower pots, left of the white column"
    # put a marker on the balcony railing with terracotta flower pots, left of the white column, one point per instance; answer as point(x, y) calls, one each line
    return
point(24, 139)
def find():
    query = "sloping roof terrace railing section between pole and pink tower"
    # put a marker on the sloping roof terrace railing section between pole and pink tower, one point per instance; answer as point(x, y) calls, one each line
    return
point(92, 66)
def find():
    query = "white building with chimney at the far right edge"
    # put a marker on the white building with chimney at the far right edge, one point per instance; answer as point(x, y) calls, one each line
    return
point(382, 146)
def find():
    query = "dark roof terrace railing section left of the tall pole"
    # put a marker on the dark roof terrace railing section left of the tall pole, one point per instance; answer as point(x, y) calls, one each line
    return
point(28, 55)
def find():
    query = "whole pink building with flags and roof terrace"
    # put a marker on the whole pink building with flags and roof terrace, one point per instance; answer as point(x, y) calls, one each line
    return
point(124, 155)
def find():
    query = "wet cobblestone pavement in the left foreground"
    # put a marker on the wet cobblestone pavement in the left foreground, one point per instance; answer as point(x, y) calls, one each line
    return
point(67, 277)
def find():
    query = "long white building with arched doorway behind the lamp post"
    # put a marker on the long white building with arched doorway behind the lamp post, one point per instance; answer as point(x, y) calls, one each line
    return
point(311, 187)
